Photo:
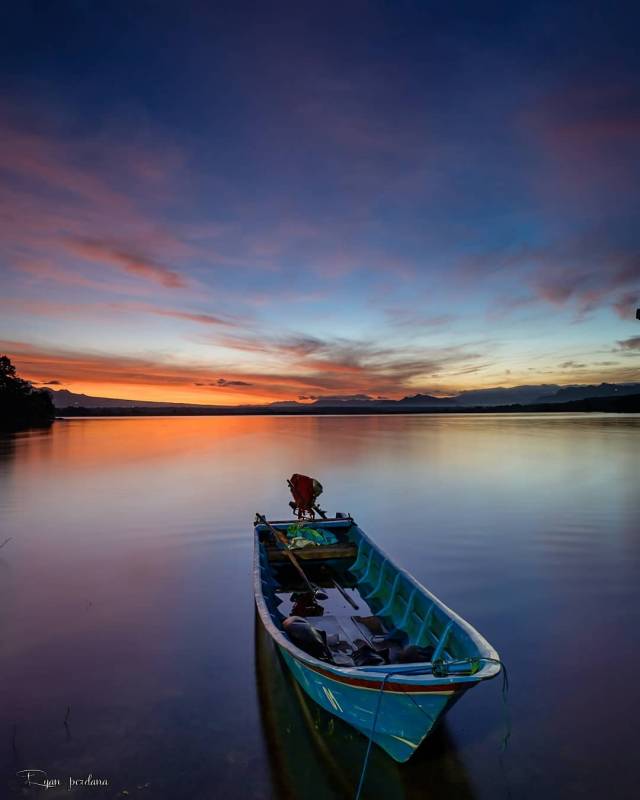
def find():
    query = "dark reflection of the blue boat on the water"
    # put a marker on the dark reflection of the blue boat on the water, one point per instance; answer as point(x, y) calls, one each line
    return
point(314, 755)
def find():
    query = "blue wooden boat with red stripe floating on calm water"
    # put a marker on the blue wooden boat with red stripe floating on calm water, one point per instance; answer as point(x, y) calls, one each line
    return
point(396, 701)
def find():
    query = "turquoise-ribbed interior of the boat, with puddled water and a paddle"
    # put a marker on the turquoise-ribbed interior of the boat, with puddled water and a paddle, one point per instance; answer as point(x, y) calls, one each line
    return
point(366, 611)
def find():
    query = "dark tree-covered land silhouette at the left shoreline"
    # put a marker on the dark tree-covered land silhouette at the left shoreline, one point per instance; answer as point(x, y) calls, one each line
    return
point(21, 405)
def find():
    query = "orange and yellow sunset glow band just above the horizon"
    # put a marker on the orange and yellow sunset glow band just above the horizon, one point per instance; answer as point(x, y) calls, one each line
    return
point(302, 380)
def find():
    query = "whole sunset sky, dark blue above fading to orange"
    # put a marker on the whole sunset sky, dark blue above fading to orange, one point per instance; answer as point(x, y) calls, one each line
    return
point(213, 202)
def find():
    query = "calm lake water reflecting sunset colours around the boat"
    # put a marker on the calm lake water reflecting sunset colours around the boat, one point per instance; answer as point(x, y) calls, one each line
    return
point(126, 597)
